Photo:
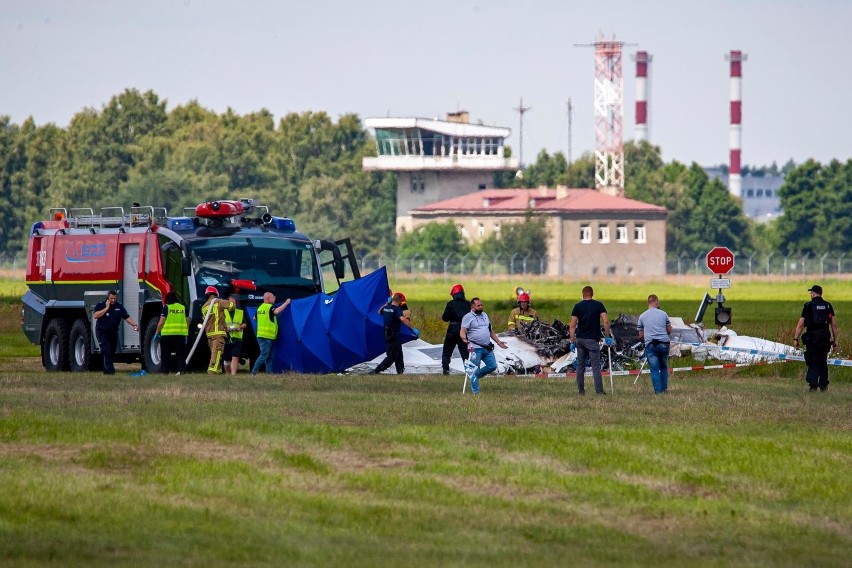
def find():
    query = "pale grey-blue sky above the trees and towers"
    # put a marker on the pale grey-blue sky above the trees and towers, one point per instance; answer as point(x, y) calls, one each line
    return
point(380, 58)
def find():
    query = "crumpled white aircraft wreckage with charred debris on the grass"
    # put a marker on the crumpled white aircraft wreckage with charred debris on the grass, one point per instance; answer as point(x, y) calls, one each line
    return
point(538, 347)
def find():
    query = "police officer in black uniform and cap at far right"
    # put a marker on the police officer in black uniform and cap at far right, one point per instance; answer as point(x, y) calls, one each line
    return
point(821, 336)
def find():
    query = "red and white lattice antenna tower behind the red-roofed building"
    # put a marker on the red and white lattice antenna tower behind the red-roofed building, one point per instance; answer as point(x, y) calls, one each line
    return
point(609, 118)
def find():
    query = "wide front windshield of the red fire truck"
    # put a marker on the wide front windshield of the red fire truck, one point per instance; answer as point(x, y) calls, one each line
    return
point(271, 263)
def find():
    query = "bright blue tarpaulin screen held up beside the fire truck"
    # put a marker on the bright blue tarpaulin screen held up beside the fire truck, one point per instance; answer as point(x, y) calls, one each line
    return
point(330, 333)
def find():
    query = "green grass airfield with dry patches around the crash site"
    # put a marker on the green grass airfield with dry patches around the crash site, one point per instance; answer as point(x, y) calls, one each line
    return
point(742, 467)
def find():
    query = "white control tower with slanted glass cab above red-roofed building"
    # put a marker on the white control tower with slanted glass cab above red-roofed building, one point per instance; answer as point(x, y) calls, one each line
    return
point(436, 159)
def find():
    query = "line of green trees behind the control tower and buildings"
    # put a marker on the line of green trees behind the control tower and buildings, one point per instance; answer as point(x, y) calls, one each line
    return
point(308, 167)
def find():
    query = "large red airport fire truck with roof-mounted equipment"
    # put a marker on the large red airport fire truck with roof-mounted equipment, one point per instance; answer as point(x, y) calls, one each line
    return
point(76, 256)
